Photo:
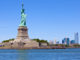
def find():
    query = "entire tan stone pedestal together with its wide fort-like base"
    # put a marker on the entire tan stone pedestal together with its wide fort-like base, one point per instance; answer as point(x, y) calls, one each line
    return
point(22, 40)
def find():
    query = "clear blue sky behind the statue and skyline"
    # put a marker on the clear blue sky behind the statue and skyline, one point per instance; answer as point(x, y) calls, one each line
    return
point(46, 19)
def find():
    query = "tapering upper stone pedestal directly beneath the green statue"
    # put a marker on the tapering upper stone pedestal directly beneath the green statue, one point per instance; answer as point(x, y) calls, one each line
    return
point(22, 34)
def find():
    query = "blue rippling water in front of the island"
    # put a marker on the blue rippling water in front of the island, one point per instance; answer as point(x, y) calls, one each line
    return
point(40, 54)
